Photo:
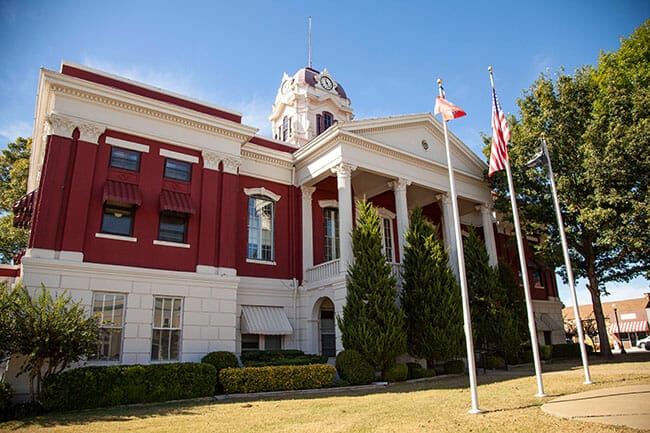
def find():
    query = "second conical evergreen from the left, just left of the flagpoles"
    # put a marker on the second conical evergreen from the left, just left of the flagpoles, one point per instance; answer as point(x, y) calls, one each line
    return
point(430, 297)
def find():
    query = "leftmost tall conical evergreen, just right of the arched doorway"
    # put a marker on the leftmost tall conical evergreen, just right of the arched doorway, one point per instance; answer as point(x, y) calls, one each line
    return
point(372, 323)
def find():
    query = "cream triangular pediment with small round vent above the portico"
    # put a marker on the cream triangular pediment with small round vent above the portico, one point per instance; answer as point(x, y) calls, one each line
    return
point(419, 135)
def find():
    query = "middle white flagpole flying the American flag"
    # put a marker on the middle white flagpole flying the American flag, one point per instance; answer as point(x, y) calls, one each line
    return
point(524, 275)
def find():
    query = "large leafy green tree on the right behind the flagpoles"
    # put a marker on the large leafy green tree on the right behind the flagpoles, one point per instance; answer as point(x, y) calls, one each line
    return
point(597, 126)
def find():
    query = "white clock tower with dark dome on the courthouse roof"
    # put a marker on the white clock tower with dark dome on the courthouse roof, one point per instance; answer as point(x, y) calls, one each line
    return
point(306, 105)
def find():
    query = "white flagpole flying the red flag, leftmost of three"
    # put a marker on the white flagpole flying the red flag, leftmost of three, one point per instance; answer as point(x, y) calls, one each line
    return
point(467, 320)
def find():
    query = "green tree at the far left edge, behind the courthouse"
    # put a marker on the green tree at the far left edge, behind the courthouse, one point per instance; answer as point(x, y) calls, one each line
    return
point(14, 169)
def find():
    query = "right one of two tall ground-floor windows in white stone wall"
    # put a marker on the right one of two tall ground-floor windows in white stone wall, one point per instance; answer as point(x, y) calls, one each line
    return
point(166, 337)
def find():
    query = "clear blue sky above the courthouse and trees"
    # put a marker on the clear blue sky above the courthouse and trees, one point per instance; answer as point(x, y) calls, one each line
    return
point(386, 54)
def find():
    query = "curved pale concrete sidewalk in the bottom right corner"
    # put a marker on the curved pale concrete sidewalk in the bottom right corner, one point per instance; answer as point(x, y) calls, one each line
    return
point(626, 405)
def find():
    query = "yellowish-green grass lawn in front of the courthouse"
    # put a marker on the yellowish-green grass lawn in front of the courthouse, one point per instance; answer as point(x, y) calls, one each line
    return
point(436, 405)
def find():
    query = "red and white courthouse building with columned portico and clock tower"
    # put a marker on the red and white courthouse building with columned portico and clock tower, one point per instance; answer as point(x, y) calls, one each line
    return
point(191, 233)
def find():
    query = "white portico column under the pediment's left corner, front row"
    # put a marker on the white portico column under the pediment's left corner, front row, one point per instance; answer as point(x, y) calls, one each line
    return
point(344, 183)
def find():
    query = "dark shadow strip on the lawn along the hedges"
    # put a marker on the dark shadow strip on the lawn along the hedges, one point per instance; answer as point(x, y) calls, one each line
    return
point(189, 407)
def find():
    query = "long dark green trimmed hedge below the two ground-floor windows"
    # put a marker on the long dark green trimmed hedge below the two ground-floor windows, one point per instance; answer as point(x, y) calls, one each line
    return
point(91, 387)
